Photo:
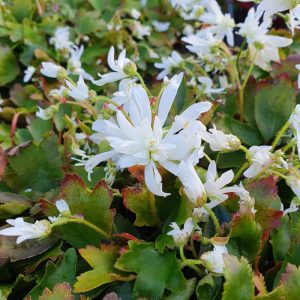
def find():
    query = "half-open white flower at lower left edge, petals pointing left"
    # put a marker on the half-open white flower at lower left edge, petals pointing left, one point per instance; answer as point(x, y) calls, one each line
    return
point(26, 231)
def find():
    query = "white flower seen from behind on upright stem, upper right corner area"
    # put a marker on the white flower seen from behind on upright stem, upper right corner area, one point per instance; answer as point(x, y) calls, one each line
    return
point(263, 47)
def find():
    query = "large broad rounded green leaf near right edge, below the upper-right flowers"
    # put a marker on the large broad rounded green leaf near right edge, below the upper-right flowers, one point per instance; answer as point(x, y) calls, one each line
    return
point(274, 104)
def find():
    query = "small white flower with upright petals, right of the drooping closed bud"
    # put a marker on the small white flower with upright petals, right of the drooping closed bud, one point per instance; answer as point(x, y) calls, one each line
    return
point(214, 186)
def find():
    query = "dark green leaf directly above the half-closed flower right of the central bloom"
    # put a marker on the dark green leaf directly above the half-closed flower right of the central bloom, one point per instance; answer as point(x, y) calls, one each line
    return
point(248, 135)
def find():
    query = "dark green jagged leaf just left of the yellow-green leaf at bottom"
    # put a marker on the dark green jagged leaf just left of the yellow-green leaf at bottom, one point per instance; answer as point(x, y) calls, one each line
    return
point(63, 271)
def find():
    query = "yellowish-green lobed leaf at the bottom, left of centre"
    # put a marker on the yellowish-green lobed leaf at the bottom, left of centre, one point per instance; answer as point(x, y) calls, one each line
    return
point(102, 261)
